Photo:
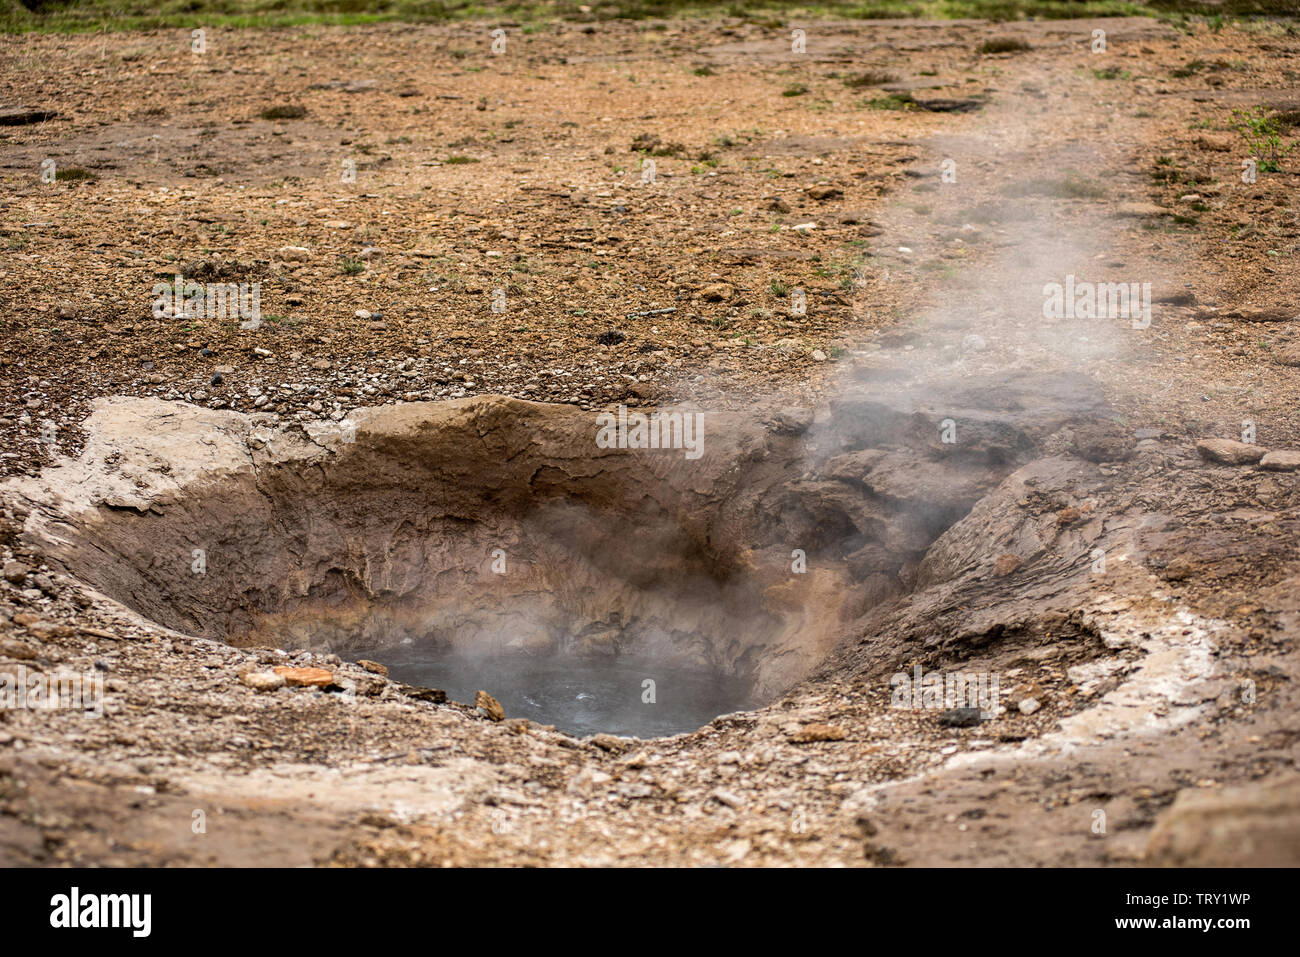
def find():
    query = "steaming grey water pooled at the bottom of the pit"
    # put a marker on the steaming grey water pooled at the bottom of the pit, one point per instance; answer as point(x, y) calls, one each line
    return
point(579, 696)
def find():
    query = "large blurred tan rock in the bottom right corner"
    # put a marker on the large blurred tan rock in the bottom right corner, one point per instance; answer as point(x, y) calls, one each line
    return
point(1253, 826)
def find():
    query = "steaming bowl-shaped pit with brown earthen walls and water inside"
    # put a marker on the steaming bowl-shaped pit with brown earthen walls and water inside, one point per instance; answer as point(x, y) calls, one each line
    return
point(495, 544)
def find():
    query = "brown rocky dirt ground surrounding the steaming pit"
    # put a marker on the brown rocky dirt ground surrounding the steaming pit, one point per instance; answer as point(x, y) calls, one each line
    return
point(774, 172)
